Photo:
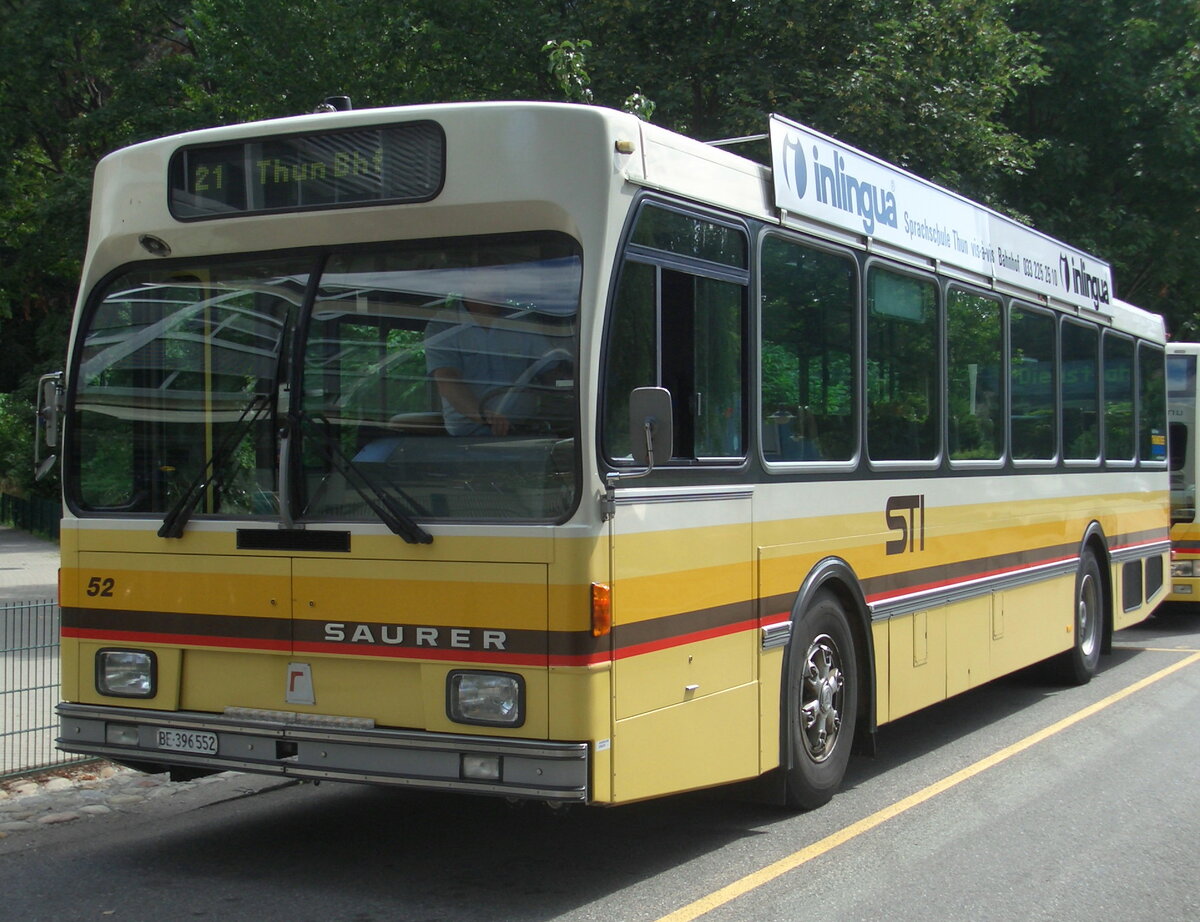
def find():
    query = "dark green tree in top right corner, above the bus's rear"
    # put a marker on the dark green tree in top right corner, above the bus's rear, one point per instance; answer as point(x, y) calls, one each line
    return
point(1118, 127)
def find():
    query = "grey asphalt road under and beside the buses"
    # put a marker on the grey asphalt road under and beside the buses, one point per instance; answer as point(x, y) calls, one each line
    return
point(1017, 801)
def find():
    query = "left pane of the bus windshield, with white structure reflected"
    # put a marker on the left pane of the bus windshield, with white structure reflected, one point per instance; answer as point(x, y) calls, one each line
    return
point(171, 362)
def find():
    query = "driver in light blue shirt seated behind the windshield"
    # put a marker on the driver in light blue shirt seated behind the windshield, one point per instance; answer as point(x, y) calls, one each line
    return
point(476, 352)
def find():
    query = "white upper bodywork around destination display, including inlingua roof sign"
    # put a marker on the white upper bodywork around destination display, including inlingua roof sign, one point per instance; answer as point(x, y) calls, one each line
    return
point(818, 184)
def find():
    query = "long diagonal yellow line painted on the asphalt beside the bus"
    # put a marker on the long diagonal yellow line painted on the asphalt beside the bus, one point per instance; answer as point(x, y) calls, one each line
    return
point(755, 881)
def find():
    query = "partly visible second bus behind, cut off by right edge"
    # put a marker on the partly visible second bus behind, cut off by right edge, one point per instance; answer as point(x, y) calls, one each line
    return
point(1183, 429)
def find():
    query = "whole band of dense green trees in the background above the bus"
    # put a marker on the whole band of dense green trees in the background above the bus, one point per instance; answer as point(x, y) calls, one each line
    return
point(1084, 117)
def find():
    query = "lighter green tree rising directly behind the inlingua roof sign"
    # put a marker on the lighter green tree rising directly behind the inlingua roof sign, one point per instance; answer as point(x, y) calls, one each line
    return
point(890, 76)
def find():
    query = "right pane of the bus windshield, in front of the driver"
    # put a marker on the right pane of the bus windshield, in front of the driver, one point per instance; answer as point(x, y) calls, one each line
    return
point(415, 357)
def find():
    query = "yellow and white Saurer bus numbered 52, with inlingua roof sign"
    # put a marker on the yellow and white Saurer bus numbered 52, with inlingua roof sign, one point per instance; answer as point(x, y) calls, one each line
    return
point(533, 451)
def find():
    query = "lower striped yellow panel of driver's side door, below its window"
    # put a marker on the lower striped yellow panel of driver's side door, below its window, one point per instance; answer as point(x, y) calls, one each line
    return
point(686, 705)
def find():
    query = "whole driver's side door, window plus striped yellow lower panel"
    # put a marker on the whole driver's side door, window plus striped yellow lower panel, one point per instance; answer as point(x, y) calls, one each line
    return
point(686, 704)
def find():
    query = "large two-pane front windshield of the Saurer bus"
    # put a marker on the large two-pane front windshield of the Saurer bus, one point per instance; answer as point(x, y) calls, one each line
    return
point(419, 382)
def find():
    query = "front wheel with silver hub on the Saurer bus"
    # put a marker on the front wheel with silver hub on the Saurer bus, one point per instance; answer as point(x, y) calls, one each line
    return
point(821, 703)
